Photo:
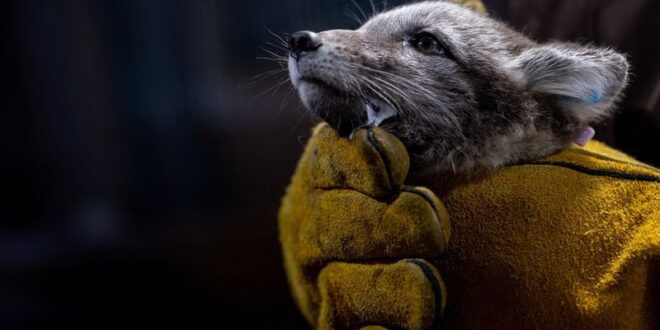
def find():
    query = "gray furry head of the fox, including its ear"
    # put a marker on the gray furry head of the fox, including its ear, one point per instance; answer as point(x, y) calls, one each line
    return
point(493, 98)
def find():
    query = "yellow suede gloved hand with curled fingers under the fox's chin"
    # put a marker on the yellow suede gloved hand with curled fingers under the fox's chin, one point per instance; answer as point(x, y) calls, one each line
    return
point(360, 246)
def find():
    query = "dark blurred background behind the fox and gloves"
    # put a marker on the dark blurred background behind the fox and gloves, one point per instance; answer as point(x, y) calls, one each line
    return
point(142, 167)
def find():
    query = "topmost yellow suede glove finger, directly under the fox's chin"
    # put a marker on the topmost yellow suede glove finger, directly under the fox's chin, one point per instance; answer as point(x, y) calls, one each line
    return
point(371, 161)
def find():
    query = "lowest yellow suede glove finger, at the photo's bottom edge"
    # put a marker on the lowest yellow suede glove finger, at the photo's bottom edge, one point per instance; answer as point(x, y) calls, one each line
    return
point(408, 294)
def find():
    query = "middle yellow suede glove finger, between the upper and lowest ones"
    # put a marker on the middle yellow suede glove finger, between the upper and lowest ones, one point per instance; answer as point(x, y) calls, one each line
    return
point(348, 225)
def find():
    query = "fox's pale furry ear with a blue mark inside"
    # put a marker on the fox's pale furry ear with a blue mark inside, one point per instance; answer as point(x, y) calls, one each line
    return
point(586, 81)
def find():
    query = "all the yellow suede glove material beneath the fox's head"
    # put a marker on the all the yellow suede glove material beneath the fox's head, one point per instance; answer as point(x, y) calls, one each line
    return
point(571, 241)
